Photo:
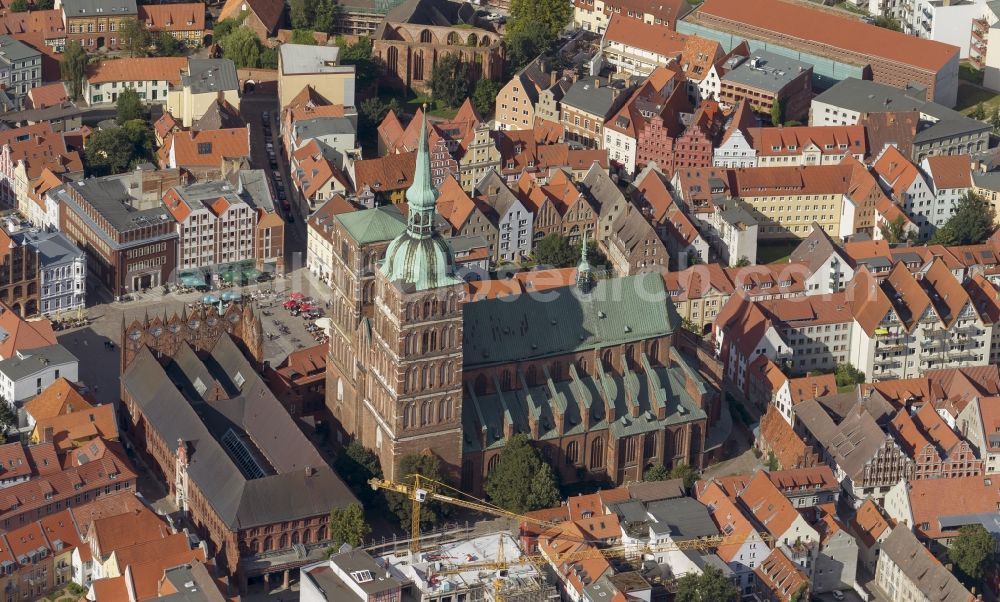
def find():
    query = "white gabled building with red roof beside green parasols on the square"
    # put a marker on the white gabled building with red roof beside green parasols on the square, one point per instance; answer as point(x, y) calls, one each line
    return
point(215, 224)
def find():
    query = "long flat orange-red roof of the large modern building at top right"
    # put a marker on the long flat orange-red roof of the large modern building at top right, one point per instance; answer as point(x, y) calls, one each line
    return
point(825, 28)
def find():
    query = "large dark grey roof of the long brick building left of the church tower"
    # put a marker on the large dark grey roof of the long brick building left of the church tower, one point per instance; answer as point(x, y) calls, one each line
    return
point(285, 492)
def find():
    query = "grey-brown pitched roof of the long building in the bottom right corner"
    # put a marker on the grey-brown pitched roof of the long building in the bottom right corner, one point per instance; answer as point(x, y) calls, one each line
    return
point(922, 569)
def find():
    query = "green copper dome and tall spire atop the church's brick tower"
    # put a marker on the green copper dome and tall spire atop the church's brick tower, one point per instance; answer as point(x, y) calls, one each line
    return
point(419, 256)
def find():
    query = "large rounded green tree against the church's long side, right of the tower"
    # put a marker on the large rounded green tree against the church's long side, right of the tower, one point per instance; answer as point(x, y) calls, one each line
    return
point(522, 481)
